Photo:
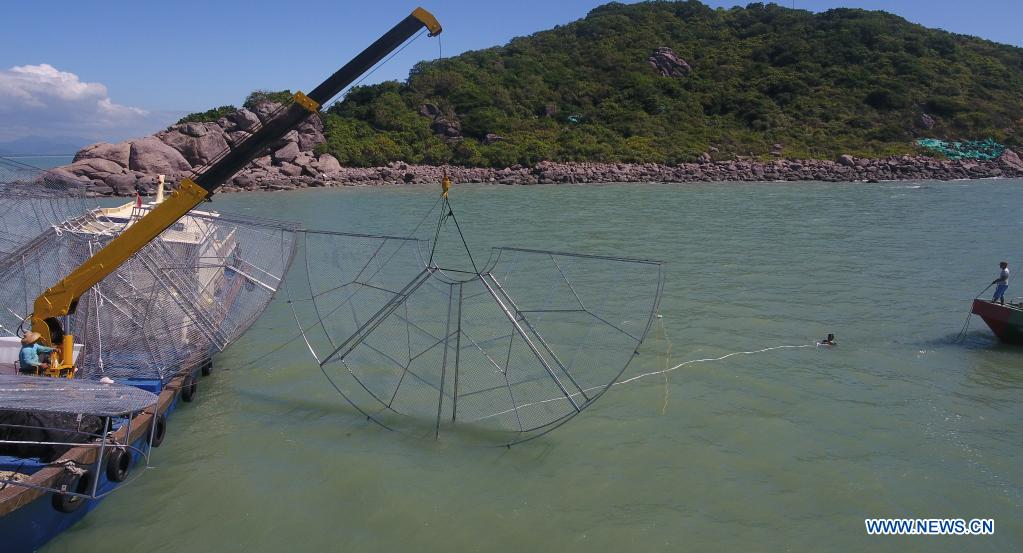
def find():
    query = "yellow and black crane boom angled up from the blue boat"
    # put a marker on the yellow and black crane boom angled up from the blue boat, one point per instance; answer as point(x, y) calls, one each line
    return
point(62, 299)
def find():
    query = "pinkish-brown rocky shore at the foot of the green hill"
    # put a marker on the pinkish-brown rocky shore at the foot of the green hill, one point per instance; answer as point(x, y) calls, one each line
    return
point(292, 164)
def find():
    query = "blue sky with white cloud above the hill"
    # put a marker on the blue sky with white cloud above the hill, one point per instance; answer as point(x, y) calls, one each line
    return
point(111, 70)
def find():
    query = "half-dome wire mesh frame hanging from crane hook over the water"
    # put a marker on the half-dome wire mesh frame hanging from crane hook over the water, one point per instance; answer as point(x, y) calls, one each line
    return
point(513, 348)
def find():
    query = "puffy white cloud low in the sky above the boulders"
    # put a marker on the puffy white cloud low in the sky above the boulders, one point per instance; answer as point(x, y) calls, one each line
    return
point(43, 102)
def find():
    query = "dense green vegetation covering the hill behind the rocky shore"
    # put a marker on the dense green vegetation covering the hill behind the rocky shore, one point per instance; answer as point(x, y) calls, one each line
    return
point(846, 81)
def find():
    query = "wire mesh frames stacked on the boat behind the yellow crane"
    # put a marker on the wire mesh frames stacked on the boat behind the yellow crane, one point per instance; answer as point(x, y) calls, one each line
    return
point(168, 309)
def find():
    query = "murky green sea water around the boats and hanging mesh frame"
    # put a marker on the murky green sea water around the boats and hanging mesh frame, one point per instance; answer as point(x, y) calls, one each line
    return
point(787, 450)
